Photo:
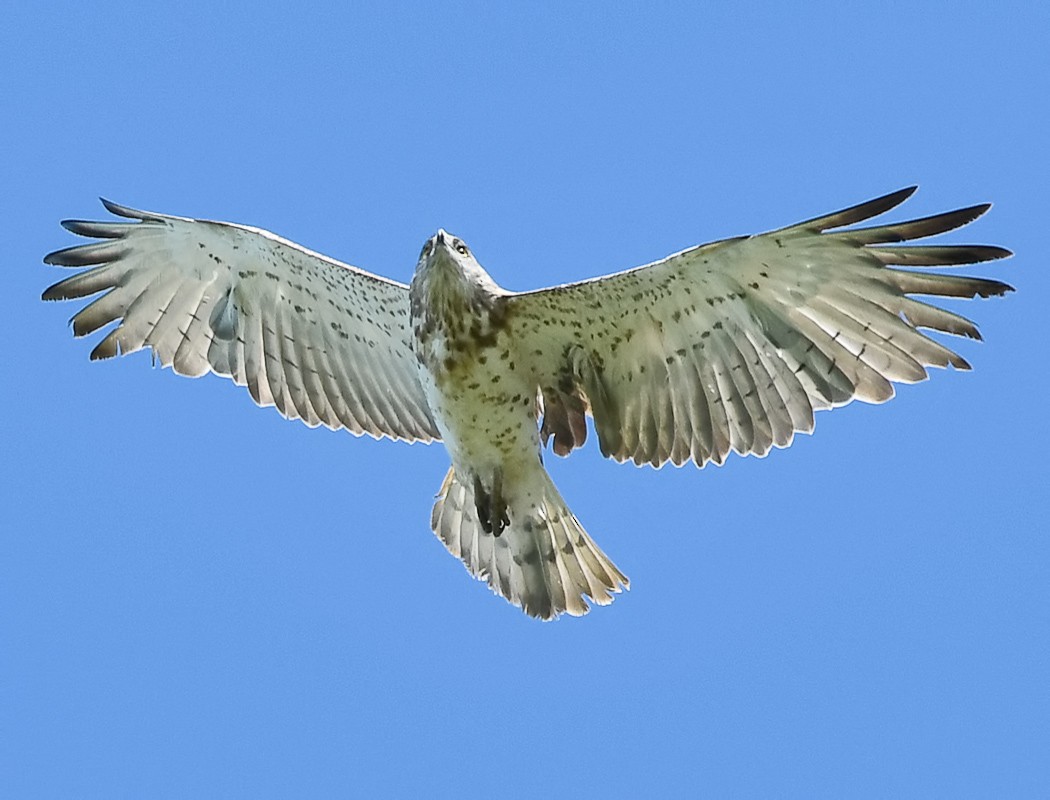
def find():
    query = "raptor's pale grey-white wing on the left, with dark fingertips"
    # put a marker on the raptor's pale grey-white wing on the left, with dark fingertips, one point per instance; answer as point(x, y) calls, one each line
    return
point(323, 342)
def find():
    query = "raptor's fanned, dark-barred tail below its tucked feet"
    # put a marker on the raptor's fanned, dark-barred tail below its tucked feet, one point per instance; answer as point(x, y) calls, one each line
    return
point(543, 562)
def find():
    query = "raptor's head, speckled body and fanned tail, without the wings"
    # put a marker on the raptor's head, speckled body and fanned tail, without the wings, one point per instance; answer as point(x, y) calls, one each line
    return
point(498, 510)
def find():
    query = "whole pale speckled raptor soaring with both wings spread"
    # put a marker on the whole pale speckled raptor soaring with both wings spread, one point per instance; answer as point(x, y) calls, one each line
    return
point(730, 346)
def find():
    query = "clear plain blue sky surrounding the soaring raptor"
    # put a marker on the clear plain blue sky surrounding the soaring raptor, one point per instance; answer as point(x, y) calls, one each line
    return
point(199, 598)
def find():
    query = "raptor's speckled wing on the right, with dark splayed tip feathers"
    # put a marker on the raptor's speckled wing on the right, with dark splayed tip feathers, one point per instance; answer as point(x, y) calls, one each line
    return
point(733, 345)
